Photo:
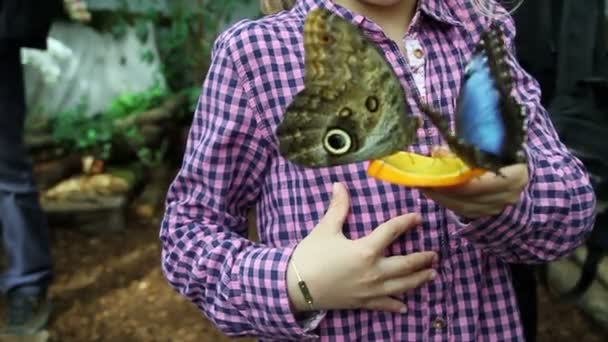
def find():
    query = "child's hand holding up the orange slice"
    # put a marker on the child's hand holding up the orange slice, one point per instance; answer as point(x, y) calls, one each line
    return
point(484, 196)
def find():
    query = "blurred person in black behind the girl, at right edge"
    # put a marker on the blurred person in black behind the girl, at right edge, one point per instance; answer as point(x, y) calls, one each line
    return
point(560, 43)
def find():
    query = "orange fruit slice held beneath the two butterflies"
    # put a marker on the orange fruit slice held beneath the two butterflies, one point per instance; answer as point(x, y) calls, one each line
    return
point(411, 169)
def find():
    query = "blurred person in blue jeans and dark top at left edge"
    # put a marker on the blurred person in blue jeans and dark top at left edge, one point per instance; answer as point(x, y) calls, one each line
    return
point(29, 271)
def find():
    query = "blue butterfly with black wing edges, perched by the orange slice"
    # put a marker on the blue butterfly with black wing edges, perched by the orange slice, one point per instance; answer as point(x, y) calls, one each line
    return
point(490, 124)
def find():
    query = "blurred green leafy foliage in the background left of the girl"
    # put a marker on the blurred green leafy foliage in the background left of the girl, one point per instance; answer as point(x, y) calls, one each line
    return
point(184, 36)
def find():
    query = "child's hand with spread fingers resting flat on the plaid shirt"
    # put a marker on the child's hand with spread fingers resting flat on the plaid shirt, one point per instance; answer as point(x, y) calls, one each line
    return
point(347, 274)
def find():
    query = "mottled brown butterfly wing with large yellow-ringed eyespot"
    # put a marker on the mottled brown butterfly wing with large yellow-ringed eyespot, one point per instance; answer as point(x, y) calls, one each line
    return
point(352, 108)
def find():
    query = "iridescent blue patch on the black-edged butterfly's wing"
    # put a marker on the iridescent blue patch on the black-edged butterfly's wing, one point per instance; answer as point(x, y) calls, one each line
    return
point(479, 121)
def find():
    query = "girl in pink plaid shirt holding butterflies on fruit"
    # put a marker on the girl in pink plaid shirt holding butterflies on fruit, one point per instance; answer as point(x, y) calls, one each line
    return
point(378, 262)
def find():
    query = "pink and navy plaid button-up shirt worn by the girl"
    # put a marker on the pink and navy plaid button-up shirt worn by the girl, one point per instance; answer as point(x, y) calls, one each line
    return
point(231, 164)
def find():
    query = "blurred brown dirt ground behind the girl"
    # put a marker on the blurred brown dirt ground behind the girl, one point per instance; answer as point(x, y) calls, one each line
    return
point(109, 287)
